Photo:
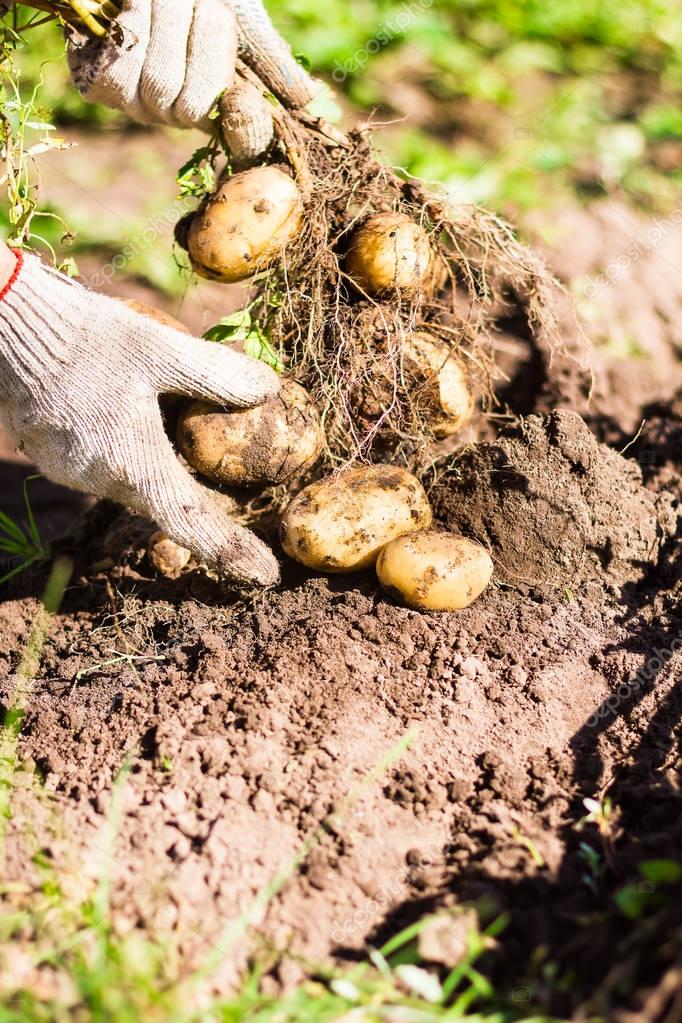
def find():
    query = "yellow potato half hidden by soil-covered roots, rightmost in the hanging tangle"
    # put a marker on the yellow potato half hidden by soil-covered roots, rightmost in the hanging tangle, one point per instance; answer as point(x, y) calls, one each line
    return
point(443, 389)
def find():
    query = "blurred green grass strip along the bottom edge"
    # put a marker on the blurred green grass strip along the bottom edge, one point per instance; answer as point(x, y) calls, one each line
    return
point(103, 976)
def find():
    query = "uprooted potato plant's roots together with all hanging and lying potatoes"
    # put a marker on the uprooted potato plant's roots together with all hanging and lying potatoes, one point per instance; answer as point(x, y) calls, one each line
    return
point(376, 295)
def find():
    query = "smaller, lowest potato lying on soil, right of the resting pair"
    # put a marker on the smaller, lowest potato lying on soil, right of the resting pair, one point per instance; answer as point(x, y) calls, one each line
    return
point(433, 571)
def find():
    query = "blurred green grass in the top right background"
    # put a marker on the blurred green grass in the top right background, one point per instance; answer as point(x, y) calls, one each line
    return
point(530, 97)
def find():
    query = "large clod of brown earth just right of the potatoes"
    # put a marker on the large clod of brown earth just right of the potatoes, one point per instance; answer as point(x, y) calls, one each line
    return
point(556, 507)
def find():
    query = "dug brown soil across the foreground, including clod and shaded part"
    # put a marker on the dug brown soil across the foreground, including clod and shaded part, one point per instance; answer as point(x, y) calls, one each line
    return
point(246, 727)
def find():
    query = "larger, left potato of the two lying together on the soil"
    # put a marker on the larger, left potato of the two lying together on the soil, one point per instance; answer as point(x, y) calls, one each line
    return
point(341, 523)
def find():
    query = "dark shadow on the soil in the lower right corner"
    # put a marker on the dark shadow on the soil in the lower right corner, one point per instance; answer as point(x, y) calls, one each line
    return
point(587, 954)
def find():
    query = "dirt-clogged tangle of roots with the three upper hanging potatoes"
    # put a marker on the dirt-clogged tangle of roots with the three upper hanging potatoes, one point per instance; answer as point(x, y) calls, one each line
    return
point(376, 293)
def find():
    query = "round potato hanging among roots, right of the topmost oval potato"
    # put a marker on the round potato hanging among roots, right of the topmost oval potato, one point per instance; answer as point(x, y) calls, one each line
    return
point(392, 253)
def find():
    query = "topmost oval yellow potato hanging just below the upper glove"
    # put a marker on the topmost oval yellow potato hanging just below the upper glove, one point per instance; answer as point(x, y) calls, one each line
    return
point(245, 227)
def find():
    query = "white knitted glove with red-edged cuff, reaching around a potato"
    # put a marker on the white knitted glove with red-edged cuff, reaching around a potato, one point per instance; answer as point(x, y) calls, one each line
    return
point(80, 379)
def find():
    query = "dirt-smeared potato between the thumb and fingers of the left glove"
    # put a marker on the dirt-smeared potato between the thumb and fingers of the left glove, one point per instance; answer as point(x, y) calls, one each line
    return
point(268, 444)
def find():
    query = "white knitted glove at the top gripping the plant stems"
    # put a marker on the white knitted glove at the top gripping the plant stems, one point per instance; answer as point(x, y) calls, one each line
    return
point(177, 57)
